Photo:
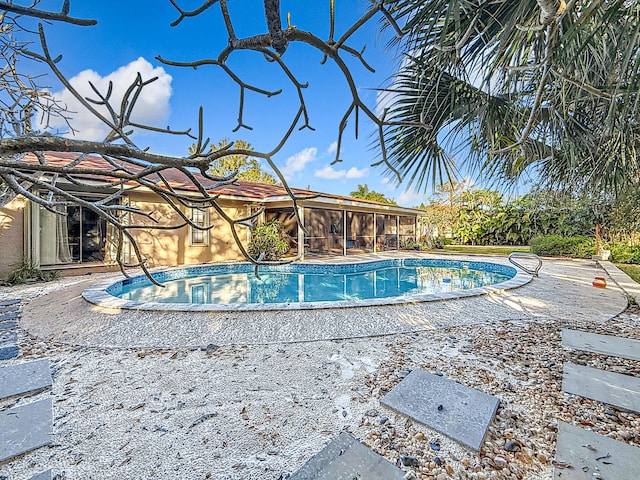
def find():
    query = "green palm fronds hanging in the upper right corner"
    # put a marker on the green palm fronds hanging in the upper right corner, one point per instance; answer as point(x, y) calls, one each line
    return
point(538, 86)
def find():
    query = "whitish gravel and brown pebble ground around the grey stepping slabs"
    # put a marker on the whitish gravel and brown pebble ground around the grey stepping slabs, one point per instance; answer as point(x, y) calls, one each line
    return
point(260, 411)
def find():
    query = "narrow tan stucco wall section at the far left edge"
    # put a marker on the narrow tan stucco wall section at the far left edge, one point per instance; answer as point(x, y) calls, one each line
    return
point(11, 235)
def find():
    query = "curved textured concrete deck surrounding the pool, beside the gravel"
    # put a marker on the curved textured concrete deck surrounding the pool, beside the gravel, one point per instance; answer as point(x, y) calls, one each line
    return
point(563, 291)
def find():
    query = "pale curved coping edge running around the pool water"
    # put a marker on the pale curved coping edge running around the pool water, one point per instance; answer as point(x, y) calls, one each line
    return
point(97, 294)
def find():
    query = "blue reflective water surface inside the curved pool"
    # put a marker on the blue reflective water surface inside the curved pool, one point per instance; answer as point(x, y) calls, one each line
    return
point(234, 284)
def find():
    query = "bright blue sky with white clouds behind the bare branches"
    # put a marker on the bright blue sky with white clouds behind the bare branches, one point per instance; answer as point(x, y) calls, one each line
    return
point(129, 36)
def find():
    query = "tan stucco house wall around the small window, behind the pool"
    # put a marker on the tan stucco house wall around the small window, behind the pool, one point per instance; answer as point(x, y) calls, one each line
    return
point(172, 247)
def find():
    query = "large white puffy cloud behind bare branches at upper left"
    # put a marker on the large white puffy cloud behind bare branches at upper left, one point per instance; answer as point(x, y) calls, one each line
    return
point(152, 107)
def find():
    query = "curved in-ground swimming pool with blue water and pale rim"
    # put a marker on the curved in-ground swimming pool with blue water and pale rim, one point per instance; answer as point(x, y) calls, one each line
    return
point(304, 285)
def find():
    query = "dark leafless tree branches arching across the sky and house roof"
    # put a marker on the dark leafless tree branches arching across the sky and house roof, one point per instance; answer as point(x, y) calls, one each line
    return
point(125, 168)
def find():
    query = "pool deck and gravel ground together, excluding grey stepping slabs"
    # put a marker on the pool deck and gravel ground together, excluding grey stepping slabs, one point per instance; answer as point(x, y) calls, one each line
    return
point(254, 395)
